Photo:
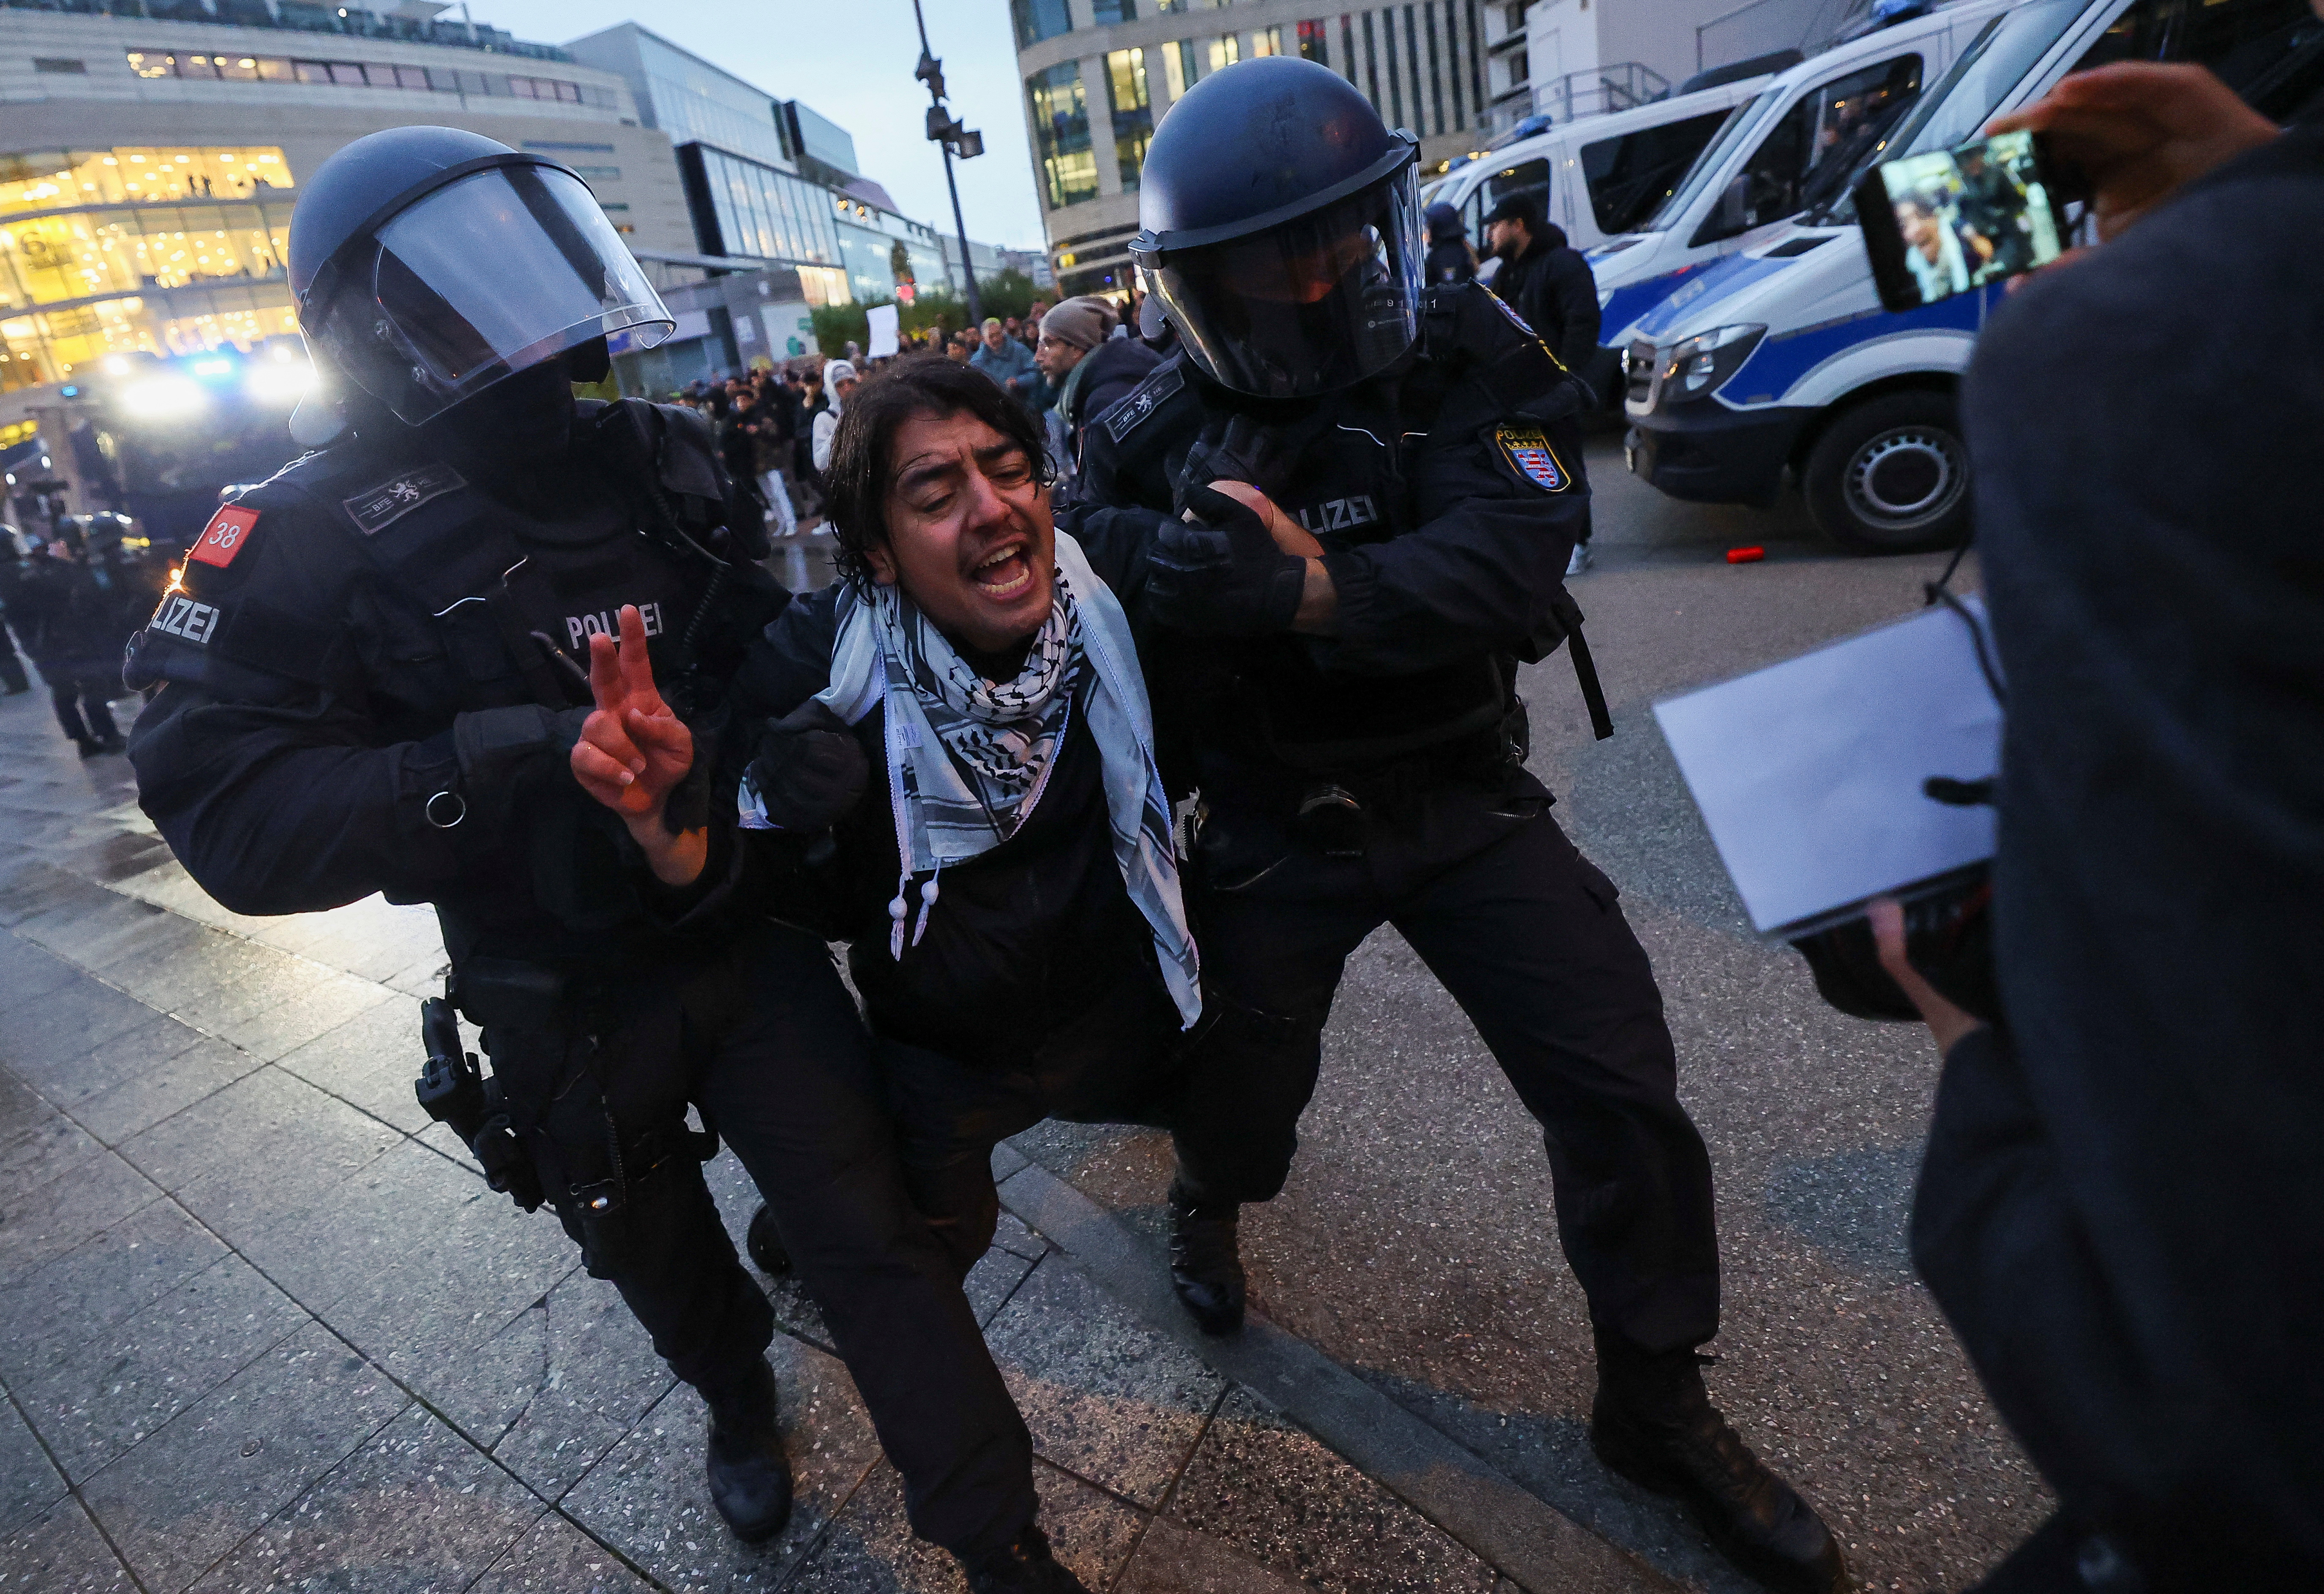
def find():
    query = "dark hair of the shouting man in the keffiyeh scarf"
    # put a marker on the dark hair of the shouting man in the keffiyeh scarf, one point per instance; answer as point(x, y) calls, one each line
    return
point(863, 447)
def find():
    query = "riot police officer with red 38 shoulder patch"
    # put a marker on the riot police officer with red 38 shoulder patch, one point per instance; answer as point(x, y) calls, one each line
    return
point(373, 682)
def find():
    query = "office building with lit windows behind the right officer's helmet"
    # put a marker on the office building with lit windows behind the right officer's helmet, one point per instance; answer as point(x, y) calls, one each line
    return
point(1103, 73)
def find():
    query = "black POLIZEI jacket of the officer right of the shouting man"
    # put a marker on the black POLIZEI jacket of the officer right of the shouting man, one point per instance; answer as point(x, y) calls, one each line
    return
point(1447, 494)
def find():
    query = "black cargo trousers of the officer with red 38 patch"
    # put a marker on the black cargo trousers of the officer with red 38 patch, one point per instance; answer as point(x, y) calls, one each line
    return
point(766, 1042)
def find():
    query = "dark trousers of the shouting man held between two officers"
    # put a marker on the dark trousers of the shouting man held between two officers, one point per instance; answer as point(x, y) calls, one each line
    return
point(1114, 1063)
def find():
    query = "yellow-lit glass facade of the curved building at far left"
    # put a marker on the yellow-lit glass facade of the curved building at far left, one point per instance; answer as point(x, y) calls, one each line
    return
point(138, 250)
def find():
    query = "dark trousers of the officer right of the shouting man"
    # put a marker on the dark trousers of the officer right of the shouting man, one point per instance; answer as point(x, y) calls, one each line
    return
point(1526, 935)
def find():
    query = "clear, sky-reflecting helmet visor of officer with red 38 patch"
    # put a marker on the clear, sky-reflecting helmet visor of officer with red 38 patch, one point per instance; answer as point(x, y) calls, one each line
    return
point(489, 275)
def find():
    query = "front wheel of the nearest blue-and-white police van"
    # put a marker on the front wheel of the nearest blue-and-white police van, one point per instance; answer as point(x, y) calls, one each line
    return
point(1891, 475)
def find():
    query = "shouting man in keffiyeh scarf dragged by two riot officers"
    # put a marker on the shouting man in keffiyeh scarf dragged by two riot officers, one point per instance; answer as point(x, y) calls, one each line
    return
point(959, 780)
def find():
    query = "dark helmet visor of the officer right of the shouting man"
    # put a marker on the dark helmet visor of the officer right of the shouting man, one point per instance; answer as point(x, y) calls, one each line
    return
point(1310, 306)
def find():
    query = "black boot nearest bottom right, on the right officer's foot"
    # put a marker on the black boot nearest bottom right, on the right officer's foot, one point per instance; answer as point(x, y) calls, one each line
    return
point(1656, 1426)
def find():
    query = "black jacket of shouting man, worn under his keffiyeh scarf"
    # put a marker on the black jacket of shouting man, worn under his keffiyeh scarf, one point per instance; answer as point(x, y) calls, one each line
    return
point(1024, 938)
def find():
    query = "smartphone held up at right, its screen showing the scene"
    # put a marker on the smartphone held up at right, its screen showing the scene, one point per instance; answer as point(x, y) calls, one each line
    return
point(1958, 220)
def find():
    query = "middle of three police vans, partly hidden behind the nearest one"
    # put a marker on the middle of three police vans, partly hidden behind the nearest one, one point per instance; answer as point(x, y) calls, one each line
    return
point(1793, 148)
